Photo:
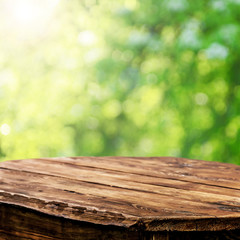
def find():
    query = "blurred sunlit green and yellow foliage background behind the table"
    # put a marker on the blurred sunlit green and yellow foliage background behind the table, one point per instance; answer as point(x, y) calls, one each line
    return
point(132, 77)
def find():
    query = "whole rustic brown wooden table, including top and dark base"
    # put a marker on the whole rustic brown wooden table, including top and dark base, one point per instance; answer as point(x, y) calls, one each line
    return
point(119, 198)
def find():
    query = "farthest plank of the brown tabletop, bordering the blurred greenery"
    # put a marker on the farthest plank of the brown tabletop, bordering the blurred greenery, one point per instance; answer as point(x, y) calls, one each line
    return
point(192, 171)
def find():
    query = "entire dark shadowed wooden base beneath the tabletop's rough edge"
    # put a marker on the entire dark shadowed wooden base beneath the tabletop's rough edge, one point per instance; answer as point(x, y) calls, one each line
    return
point(19, 223)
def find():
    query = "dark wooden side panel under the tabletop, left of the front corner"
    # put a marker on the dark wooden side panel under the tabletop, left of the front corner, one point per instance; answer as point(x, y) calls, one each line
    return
point(25, 224)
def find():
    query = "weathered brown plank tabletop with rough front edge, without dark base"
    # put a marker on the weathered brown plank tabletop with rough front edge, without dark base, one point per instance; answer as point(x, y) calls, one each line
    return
point(155, 194)
